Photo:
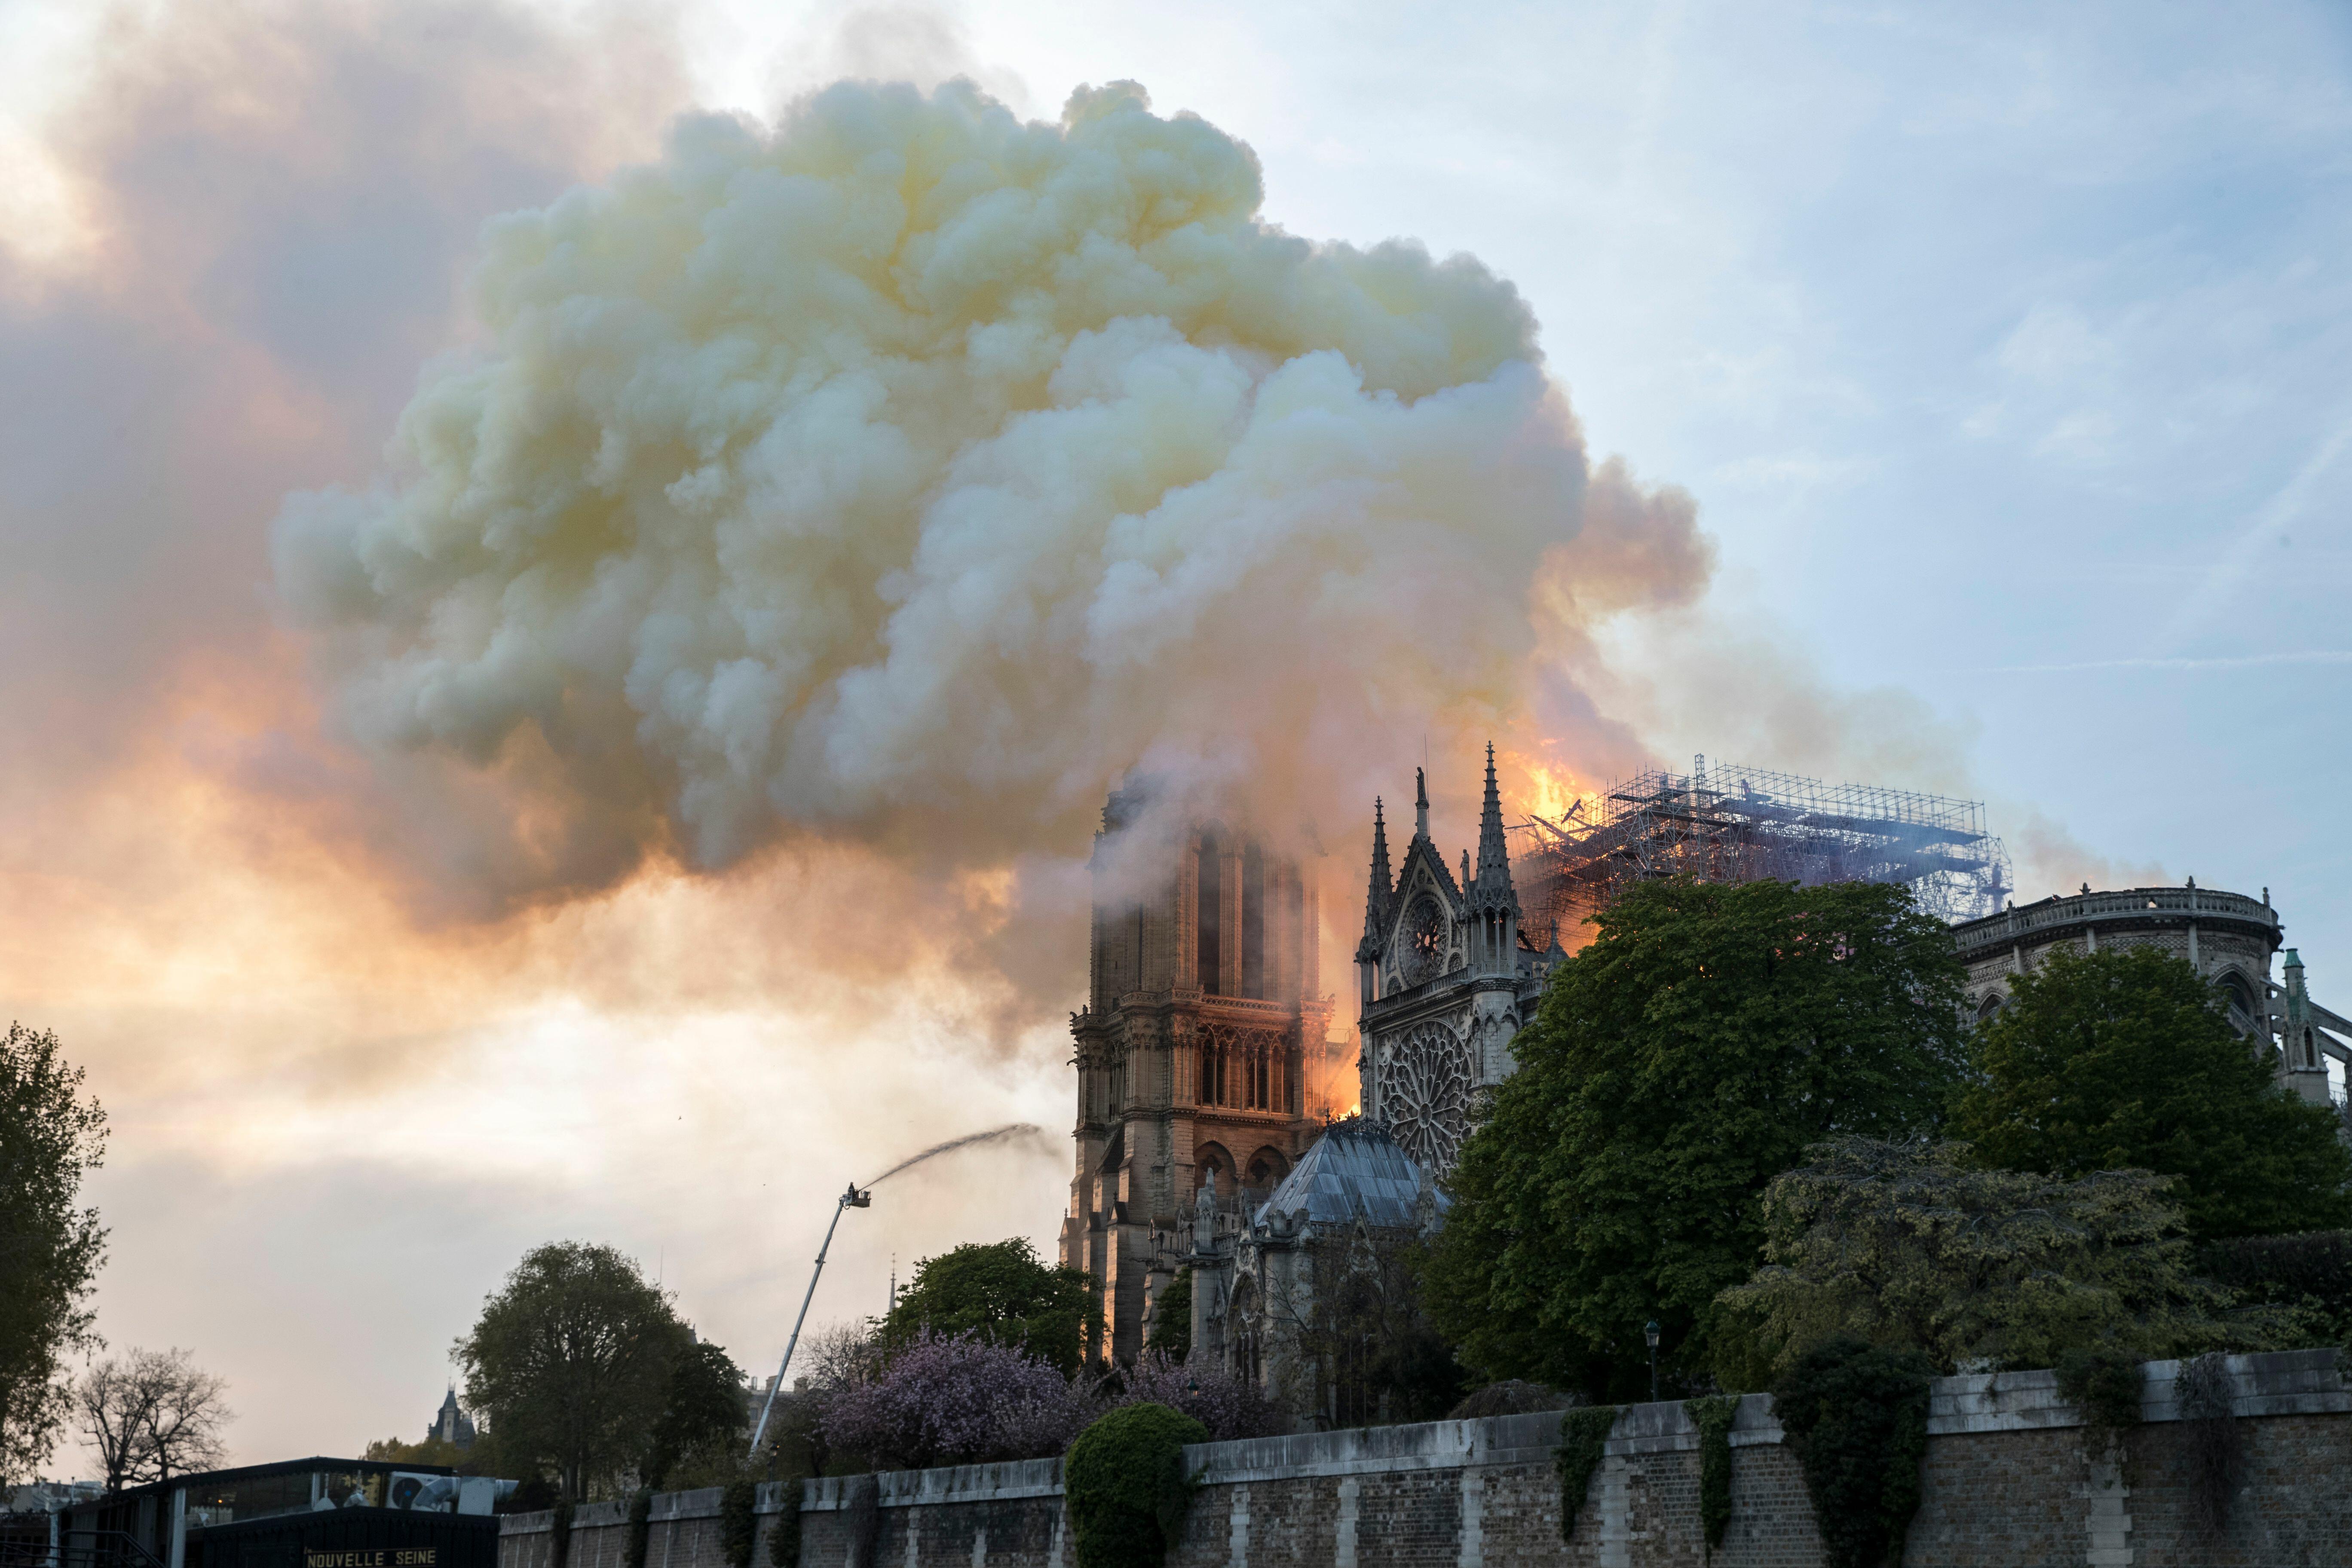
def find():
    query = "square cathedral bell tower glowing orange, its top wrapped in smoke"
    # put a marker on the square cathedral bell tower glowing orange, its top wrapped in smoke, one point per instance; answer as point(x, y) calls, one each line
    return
point(1191, 1050)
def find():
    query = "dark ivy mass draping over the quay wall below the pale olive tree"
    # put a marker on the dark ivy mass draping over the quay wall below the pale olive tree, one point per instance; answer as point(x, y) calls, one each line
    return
point(1857, 1419)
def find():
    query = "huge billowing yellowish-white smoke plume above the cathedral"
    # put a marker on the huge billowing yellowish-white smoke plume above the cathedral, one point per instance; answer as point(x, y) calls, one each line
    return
point(907, 474)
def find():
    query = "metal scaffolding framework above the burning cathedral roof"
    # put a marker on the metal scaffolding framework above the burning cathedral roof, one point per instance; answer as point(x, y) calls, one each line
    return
point(1744, 824)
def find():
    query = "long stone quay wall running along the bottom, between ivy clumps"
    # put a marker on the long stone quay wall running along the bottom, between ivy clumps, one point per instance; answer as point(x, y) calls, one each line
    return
point(2012, 1480)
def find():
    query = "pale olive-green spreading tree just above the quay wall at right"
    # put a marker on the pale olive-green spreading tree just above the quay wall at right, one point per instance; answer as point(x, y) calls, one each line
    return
point(1911, 1245)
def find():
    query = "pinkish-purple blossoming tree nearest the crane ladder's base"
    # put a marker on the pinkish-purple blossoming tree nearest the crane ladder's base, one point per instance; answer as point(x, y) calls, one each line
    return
point(958, 1400)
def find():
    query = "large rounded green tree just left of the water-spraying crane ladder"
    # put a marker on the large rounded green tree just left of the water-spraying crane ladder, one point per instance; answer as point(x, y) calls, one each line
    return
point(573, 1365)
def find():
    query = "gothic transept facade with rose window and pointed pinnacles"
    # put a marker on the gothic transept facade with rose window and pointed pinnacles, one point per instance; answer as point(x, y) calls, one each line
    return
point(1443, 981)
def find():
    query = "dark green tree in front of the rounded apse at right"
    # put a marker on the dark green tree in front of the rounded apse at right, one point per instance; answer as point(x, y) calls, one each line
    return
point(2125, 1059)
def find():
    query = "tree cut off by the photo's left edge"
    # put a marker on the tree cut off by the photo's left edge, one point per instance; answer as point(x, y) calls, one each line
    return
point(51, 1247)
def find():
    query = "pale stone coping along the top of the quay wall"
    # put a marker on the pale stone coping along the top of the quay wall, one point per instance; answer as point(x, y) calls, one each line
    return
point(2276, 1383)
